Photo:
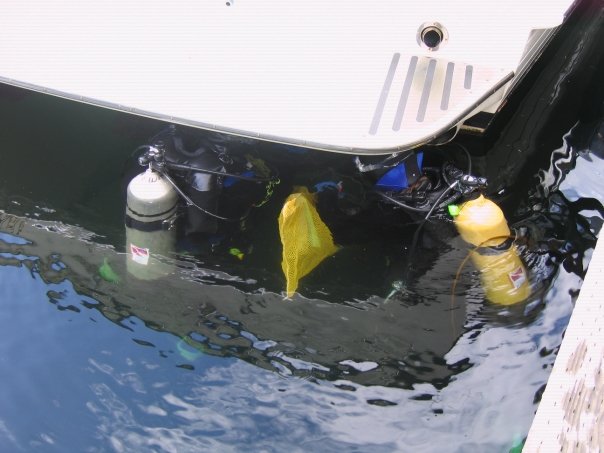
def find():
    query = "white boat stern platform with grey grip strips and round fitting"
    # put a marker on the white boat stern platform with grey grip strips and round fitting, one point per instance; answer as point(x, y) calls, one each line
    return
point(334, 75)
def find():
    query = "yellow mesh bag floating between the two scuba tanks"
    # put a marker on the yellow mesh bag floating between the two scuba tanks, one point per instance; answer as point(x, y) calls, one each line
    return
point(306, 239)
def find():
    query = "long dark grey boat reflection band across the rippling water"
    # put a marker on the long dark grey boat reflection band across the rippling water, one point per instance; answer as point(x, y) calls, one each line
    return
point(376, 341)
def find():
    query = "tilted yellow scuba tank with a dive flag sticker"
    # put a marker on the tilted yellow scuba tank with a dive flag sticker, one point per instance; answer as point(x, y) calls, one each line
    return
point(504, 278)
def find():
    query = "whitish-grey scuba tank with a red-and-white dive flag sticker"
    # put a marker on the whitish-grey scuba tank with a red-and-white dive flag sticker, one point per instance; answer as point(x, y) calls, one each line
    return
point(150, 225)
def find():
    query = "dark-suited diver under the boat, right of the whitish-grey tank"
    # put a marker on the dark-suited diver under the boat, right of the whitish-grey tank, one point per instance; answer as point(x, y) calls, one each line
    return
point(218, 180)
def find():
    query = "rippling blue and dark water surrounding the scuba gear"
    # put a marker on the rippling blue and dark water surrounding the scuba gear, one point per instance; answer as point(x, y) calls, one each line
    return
point(213, 358)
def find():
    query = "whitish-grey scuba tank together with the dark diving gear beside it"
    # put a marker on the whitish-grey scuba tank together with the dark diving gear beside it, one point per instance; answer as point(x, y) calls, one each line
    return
point(180, 191)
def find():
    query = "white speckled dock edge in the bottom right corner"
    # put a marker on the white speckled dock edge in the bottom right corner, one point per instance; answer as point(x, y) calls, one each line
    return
point(570, 416)
